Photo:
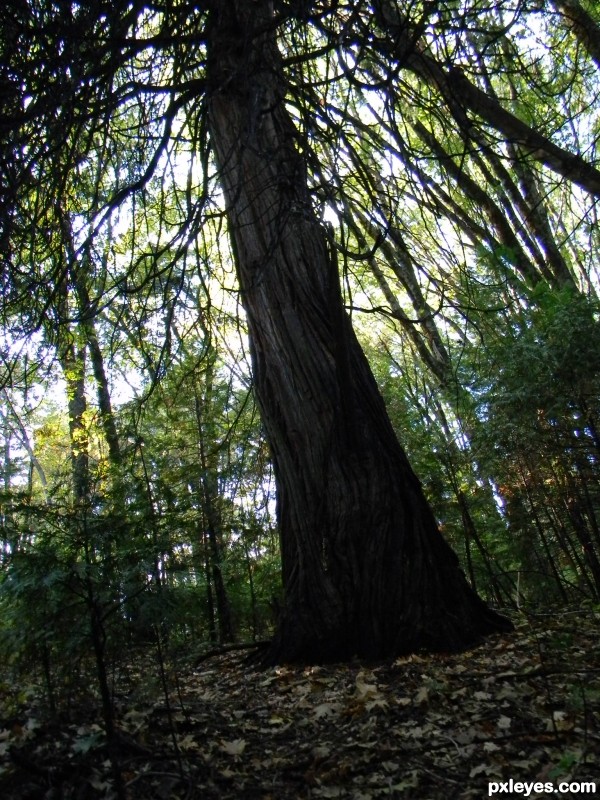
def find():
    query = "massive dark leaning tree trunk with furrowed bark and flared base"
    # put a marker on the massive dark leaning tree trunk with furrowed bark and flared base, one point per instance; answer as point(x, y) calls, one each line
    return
point(365, 570)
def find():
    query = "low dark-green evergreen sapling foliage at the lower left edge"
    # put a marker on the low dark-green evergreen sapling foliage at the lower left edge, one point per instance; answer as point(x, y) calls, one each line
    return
point(45, 601)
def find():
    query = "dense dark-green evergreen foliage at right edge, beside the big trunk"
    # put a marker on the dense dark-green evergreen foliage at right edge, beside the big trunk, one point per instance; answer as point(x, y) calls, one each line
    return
point(537, 406)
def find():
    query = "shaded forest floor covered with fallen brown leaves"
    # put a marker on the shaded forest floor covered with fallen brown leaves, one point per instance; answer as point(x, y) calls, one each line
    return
point(523, 707)
